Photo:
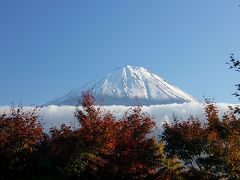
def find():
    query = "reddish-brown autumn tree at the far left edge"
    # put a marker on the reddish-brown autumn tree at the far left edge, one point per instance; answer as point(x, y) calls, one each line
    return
point(20, 136)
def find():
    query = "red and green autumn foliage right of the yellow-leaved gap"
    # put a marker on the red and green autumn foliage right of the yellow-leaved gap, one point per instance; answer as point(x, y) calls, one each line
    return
point(209, 150)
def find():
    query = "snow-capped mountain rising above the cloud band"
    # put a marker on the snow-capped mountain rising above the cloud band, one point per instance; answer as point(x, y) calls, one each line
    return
point(128, 86)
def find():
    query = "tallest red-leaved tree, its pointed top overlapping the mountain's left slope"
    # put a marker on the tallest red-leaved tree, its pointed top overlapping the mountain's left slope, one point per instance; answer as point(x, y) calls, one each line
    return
point(96, 141)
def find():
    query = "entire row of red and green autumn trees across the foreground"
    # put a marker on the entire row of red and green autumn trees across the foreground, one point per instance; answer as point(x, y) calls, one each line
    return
point(104, 147)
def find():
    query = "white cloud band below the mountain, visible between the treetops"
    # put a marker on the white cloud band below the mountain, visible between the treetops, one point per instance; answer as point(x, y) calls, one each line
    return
point(57, 115)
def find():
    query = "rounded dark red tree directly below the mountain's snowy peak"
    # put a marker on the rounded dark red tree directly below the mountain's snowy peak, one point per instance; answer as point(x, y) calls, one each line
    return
point(136, 152)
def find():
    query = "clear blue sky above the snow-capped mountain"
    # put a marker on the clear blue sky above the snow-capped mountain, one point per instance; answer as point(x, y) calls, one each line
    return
point(49, 47)
